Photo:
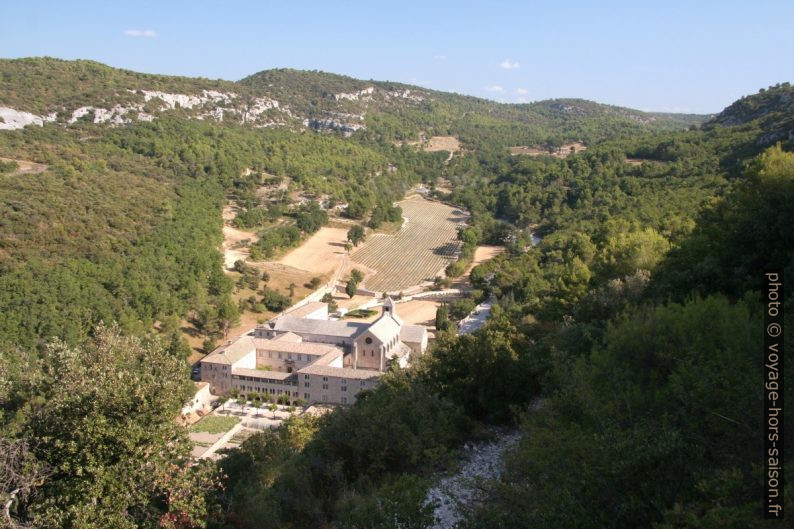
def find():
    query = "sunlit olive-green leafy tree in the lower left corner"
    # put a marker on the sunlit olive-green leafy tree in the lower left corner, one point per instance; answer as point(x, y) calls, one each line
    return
point(100, 419)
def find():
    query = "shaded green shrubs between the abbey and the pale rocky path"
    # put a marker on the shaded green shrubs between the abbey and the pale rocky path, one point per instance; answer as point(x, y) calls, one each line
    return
point(280, 478)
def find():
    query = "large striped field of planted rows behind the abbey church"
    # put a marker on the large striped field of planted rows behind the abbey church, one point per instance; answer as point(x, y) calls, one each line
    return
point(423, 247)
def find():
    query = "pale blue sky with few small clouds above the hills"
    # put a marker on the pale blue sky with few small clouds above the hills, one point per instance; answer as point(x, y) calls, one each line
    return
point(669, 56)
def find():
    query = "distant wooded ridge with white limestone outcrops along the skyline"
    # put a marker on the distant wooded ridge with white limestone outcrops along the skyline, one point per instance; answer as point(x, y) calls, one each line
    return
point(70, 92)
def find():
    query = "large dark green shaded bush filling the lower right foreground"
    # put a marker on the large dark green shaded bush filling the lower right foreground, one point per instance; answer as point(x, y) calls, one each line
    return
point(661, 398)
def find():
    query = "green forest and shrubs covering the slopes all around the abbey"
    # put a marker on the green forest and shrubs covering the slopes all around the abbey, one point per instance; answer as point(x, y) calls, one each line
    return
point(624, 346)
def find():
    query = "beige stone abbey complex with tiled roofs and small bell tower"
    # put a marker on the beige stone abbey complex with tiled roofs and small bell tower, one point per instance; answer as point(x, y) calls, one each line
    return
point(304, 355)
